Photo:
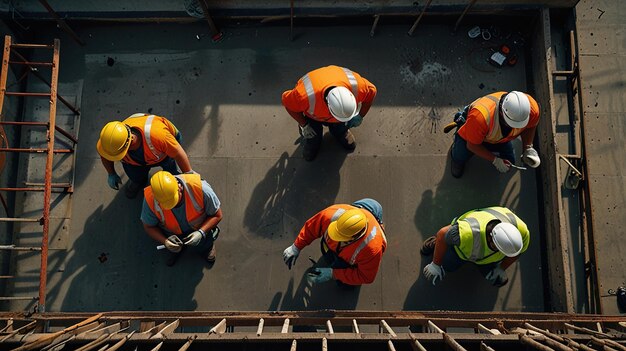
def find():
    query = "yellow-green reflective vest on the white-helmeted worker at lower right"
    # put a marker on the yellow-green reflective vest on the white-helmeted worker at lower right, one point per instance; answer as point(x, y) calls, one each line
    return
point(472, 232)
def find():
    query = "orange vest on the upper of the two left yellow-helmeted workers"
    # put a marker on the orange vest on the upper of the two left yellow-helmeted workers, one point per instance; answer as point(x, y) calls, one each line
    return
point(147, 125)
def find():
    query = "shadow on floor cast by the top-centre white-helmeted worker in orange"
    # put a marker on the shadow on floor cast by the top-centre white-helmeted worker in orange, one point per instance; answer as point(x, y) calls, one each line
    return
point(294, 189)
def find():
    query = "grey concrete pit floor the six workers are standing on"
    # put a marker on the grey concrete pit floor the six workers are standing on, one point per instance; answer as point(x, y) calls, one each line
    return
point(225, 98)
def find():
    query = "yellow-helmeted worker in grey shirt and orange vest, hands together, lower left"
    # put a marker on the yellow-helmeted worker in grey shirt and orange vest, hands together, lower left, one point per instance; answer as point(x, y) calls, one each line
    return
point(182, 211)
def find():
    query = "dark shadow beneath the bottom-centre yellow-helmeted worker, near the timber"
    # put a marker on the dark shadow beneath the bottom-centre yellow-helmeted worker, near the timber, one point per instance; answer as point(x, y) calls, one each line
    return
point(309, 296)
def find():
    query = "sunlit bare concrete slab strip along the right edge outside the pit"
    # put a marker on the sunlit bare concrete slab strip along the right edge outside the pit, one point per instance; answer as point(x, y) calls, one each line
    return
point(602, 56)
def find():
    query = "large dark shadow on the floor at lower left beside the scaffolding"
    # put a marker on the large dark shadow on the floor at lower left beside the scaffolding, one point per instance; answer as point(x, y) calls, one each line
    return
point(114, 265)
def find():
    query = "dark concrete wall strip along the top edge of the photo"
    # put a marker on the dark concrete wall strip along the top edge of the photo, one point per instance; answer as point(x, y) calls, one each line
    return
point(164, 8)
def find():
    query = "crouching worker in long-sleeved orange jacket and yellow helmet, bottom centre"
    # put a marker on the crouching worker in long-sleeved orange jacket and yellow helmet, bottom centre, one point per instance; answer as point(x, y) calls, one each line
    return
point(353, 242)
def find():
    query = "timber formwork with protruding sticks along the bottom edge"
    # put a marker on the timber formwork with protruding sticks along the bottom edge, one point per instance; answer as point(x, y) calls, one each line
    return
point(325, 330)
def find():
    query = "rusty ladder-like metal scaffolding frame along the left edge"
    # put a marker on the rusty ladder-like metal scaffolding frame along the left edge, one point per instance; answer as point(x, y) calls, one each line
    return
point(13, 57)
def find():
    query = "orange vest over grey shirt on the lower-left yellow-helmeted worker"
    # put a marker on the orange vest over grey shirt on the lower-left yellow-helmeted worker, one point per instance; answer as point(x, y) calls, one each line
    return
point(194, 204)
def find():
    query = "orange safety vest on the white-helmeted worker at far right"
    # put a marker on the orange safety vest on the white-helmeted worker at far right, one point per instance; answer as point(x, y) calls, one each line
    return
point(488, 108)
